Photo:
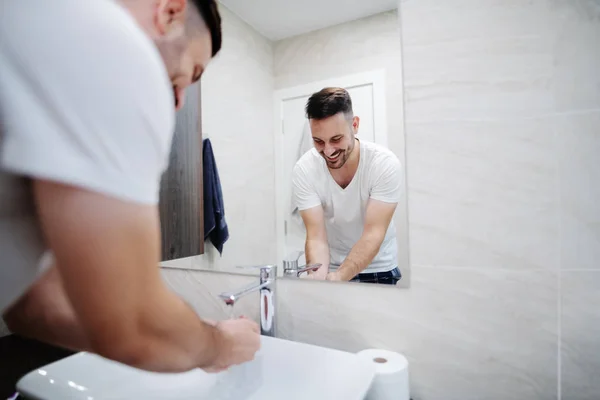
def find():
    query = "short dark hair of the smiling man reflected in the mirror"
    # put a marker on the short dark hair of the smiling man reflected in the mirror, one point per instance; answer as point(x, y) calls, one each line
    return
point(328, 102)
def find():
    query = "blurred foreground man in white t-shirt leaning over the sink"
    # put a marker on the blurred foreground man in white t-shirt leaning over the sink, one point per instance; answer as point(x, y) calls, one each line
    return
point(87, 94)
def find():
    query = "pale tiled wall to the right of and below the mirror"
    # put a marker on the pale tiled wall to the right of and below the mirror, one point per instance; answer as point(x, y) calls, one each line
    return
point(502, 132)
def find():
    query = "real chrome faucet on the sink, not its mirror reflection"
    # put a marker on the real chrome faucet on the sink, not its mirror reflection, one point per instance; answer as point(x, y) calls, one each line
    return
point(266, 289)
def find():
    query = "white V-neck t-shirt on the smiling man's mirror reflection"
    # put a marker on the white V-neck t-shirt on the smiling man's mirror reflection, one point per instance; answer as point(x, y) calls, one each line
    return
point(379, 177)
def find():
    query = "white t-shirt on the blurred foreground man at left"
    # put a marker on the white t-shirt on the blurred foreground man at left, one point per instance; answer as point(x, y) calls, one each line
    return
point(85, 100)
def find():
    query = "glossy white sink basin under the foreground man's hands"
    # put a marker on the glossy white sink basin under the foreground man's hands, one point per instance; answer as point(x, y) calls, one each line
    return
point(282, 370)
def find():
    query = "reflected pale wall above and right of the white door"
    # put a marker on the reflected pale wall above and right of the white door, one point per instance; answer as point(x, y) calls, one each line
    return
point(366, 44)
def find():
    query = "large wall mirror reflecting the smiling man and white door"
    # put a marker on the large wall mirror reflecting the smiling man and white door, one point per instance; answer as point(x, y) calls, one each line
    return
point(272, 159)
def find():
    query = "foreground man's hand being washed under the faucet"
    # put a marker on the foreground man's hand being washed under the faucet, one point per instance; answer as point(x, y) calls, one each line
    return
point(239, 342)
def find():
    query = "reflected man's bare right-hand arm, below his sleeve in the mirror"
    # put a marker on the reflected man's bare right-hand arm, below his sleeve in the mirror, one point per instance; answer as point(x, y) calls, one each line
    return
point(377, 220)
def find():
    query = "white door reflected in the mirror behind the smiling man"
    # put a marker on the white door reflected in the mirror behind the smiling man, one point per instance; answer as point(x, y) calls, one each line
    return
point(294, 138)
